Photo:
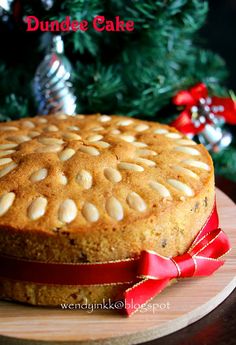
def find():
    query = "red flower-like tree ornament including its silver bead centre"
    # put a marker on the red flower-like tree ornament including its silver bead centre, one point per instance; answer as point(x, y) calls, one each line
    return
point(200, 109)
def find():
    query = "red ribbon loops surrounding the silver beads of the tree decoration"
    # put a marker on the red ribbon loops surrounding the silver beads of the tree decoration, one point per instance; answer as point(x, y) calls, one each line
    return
point(191, 97)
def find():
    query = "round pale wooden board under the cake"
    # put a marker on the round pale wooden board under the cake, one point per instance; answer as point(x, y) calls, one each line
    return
point(176, 307)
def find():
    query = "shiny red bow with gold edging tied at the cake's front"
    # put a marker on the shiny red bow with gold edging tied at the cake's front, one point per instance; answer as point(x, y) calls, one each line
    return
point(156, 271)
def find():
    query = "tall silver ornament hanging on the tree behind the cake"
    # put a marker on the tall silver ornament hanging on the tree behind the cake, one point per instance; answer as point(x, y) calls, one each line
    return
point(52, 86)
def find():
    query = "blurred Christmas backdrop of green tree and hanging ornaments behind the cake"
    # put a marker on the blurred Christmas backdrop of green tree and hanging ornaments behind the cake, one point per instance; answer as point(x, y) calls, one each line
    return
point(177, 45)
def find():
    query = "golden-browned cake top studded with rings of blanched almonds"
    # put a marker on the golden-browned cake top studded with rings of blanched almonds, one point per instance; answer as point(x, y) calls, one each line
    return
point(83, 171)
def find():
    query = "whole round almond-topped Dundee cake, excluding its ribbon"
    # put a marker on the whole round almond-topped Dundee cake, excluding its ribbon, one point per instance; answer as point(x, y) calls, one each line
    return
point(96, 188)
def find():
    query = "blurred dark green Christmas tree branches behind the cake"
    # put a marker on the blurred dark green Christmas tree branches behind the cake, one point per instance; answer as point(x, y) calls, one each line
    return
point(135, 73)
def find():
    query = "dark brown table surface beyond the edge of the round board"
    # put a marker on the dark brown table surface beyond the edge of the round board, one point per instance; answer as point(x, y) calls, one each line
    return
point(218, 327)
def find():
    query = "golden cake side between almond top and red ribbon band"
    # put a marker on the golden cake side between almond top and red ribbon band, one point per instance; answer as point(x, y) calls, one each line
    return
point(168, 233)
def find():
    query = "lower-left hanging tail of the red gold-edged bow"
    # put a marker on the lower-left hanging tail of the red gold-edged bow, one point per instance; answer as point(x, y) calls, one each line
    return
point(142, 292)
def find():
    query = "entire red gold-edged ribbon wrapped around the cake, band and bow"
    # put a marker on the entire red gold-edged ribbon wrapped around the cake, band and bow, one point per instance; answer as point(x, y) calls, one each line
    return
point(148, 274)
